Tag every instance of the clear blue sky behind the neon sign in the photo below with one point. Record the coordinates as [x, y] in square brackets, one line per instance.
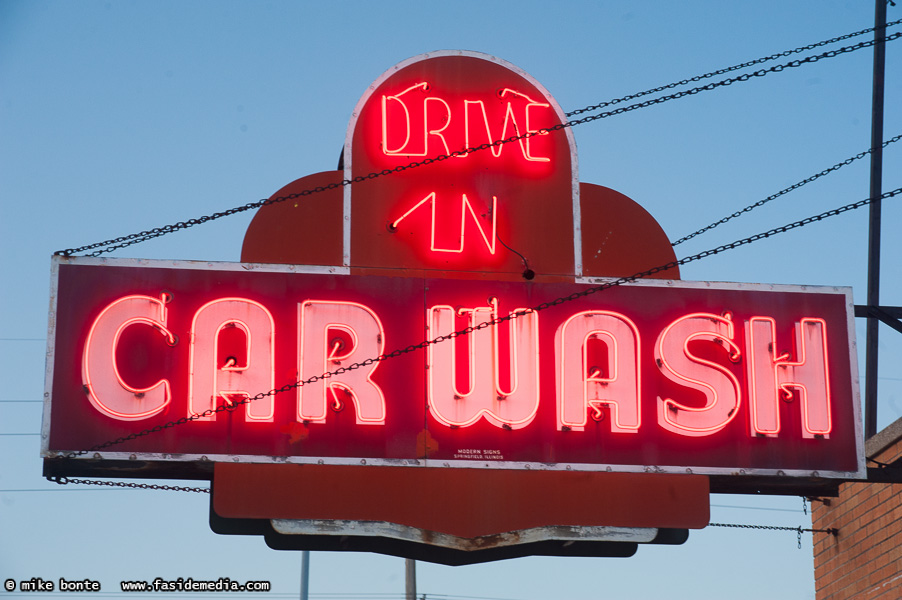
[121, 116]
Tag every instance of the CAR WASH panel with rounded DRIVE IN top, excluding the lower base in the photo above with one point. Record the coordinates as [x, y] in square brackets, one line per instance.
[436, 312]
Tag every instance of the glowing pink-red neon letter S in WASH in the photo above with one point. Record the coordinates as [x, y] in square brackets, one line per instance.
[678, 364]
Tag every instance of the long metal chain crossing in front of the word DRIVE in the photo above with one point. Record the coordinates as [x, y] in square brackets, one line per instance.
[110, 245]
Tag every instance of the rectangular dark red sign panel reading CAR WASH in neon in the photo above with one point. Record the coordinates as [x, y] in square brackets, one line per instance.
[655, 376]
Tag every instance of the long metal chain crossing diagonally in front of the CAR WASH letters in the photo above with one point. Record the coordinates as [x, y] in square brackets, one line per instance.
[494, 321]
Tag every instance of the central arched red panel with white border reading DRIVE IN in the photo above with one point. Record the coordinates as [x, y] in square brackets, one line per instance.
[469, 210]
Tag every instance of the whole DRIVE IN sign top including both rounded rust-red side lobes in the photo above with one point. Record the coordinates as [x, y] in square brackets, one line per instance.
[500, 212]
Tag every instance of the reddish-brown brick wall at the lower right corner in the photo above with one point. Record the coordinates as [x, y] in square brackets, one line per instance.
[864, 561]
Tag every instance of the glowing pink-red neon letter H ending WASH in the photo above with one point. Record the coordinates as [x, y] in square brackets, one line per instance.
[772, 374]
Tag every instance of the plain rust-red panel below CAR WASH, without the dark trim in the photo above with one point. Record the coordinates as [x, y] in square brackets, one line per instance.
[461, 503]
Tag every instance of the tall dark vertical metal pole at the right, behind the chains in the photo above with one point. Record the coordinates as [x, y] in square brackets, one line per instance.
[871, 362]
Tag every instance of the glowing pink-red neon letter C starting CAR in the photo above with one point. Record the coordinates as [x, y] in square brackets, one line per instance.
[107, 391]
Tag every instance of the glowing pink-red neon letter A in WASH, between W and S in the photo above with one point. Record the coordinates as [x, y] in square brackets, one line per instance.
[582, 385]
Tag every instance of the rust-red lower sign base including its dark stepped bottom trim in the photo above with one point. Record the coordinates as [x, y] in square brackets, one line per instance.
[462, 516]
